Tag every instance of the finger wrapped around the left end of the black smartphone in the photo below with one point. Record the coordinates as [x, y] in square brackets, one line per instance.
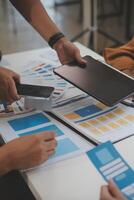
[13, 91]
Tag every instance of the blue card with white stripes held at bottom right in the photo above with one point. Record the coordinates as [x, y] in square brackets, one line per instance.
[111, 165]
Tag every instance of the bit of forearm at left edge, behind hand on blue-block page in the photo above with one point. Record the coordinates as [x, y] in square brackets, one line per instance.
[5, 166]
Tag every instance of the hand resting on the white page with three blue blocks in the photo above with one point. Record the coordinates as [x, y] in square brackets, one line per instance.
[29, 151]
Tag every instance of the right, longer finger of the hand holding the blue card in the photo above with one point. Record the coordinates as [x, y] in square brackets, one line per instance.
[114, 190]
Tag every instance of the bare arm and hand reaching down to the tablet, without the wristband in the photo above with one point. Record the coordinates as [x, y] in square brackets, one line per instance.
[36, 15]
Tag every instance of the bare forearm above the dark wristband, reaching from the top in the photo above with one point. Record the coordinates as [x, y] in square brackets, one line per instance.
[36, 15]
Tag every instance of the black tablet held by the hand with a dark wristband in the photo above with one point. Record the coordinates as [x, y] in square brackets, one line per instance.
[99, 80]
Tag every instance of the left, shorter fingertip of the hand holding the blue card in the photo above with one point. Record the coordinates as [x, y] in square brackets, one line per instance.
[104, 194]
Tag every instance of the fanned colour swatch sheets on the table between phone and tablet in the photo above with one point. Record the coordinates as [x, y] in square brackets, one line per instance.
[42, 74]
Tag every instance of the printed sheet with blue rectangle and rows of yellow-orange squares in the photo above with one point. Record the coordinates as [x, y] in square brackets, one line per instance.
[95, 120]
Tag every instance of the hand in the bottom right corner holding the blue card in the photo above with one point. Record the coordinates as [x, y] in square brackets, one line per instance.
[111, 192]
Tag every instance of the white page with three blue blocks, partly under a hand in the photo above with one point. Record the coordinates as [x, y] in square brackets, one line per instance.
[68, 143]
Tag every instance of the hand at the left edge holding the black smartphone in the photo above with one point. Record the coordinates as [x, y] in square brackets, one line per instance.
[8, 91]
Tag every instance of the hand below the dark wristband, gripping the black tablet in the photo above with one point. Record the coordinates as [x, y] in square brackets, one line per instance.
[67, 52]
